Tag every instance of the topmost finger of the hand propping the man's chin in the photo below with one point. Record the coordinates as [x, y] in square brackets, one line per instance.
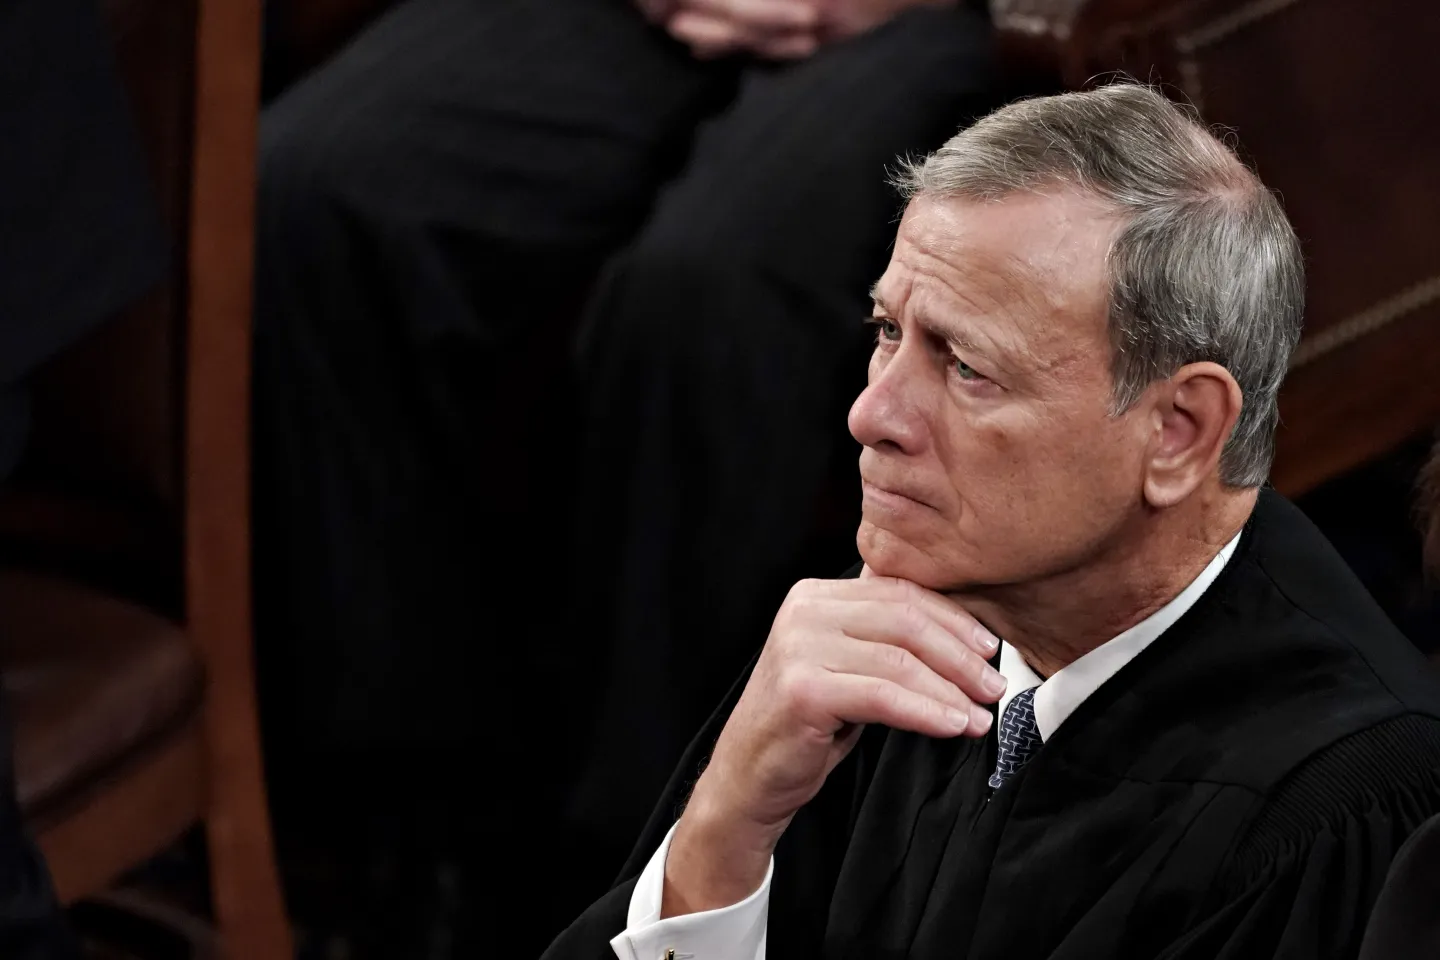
[911, 628]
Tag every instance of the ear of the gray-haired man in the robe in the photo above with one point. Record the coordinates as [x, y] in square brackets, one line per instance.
[1194, 414]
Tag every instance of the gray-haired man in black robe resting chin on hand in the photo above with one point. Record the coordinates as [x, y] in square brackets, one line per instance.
[1094, 692]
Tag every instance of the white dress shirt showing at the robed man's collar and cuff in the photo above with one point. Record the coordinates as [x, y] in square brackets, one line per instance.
[738, 932]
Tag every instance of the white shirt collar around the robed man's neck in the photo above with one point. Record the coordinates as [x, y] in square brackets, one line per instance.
[1068, 687]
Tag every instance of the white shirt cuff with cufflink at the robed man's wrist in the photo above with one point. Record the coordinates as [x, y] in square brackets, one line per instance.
[731, 933]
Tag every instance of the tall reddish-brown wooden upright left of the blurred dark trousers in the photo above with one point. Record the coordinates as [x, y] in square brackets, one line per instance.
[244, 880]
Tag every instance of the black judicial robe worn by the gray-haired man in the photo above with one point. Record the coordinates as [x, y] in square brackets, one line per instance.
[1238, 791]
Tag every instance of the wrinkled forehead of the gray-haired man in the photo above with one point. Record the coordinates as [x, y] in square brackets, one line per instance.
[1029, 270]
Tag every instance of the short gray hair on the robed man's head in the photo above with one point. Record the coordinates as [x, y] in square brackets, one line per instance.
[1206, 266]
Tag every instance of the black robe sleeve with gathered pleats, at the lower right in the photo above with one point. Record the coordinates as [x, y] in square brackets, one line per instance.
[1305, 876]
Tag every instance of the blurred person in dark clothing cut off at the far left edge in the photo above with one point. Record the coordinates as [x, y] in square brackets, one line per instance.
[78, 241]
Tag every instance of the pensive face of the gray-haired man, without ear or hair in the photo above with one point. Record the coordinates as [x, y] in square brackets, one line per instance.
[991, 457]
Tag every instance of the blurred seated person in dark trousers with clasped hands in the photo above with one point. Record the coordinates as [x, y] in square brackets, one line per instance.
[472, 569]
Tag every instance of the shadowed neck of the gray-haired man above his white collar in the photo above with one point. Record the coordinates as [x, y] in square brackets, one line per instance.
[1059, 620]
